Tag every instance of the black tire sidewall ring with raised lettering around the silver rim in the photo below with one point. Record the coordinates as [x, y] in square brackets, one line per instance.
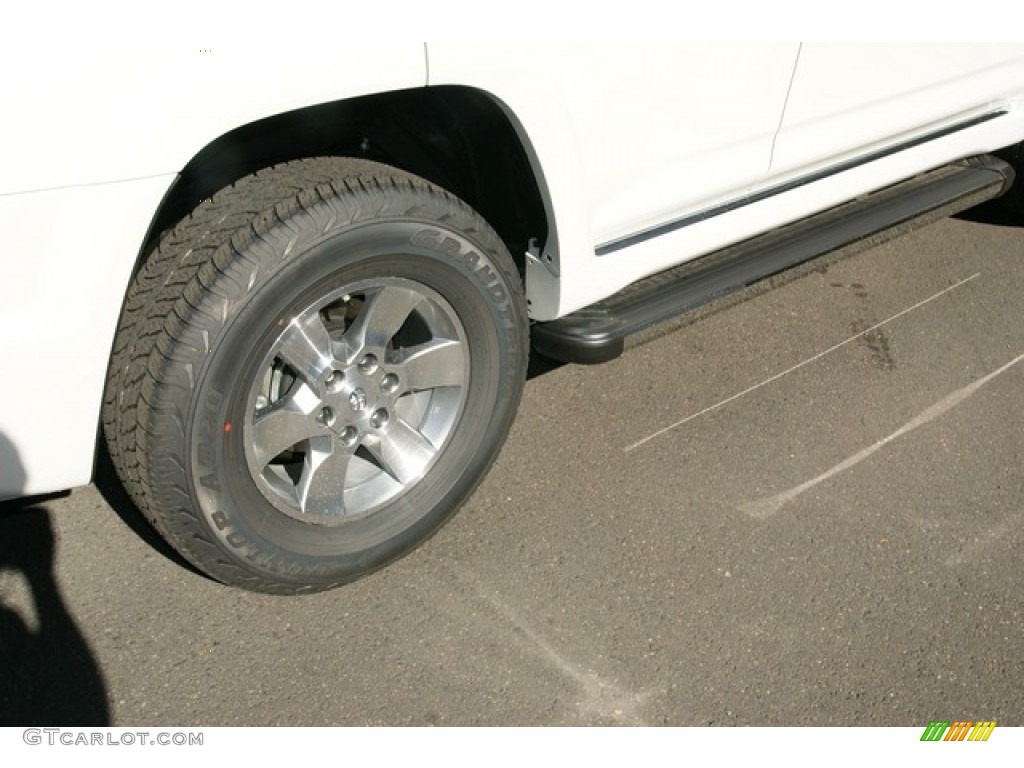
[249, 531]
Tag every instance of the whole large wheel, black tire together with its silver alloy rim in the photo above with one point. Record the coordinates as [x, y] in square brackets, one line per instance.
[314, 371]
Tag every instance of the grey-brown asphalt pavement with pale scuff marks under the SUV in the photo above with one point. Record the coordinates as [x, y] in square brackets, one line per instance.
[804, 509]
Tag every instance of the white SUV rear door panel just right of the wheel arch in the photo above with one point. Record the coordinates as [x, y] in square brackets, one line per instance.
[654, 132]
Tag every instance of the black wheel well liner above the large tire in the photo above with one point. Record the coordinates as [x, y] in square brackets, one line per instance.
[458, 138]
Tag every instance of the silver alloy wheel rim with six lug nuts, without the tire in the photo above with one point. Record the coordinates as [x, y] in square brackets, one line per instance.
[339, 430]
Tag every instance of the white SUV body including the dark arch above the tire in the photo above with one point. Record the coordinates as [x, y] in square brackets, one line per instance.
[643, 158]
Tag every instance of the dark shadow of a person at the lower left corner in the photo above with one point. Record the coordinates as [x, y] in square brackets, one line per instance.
[49, 675]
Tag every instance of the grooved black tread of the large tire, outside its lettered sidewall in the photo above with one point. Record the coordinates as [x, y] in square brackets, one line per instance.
[174, 295]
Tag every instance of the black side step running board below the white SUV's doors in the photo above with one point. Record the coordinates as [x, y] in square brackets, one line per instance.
[598, 333]
